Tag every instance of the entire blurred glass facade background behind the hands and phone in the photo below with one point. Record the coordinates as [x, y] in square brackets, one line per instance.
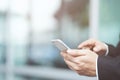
[28, 26]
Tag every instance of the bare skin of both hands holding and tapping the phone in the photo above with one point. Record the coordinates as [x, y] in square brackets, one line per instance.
[83, 60]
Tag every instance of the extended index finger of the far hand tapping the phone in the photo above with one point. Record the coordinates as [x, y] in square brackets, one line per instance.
[87, 44]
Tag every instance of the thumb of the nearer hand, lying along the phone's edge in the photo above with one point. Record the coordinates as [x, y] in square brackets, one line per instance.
[76, 53]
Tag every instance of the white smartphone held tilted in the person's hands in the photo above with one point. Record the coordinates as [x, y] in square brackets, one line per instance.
[60, 45]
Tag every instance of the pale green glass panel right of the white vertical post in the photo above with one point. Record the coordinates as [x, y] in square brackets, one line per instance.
[109, 29]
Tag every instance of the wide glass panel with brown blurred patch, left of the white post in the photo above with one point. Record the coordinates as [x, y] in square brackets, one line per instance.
[69, 21]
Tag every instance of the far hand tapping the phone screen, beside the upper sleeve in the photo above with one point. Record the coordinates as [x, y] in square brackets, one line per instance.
[94, 45]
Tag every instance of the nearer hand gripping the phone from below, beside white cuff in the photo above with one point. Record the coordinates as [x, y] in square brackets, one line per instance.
[81, 61]
